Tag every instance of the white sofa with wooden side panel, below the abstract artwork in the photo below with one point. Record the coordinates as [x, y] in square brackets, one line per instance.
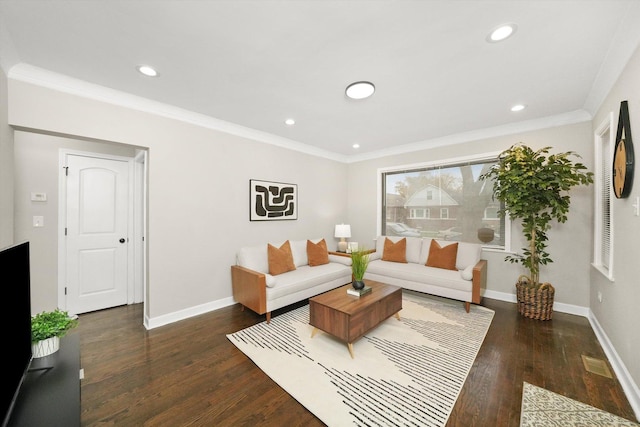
[256, 289]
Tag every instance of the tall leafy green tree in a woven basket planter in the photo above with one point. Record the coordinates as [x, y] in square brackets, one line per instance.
[534, 187]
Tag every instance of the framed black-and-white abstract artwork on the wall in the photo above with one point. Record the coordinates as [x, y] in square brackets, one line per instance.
[272, 201]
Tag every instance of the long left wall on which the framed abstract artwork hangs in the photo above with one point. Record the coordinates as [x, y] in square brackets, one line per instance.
[198, 195]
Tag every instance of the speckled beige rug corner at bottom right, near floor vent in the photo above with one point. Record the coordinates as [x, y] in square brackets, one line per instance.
[542, 408]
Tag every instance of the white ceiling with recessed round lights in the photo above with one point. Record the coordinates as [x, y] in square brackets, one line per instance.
[252, 64]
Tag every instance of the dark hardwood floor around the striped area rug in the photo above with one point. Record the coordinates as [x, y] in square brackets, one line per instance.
[189, 374]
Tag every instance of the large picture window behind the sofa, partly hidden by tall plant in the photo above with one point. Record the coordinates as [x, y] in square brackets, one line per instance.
[446, 201]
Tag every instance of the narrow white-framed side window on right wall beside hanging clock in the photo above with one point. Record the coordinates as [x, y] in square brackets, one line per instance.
[603, 260]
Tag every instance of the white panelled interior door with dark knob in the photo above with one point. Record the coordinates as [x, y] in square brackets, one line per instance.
[97, 242]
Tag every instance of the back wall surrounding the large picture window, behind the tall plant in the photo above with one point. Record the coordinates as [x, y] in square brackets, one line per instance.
[569, 243]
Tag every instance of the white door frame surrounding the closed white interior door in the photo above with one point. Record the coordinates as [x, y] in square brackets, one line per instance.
[136, 223]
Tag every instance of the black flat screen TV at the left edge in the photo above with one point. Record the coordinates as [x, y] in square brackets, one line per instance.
[16, 284]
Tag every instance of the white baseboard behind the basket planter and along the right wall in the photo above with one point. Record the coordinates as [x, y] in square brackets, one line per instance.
[628, 385]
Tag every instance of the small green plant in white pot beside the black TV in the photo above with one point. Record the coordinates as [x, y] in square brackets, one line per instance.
[46, 330]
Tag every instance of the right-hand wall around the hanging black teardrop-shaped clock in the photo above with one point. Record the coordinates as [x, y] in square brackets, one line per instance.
[618, 314]
